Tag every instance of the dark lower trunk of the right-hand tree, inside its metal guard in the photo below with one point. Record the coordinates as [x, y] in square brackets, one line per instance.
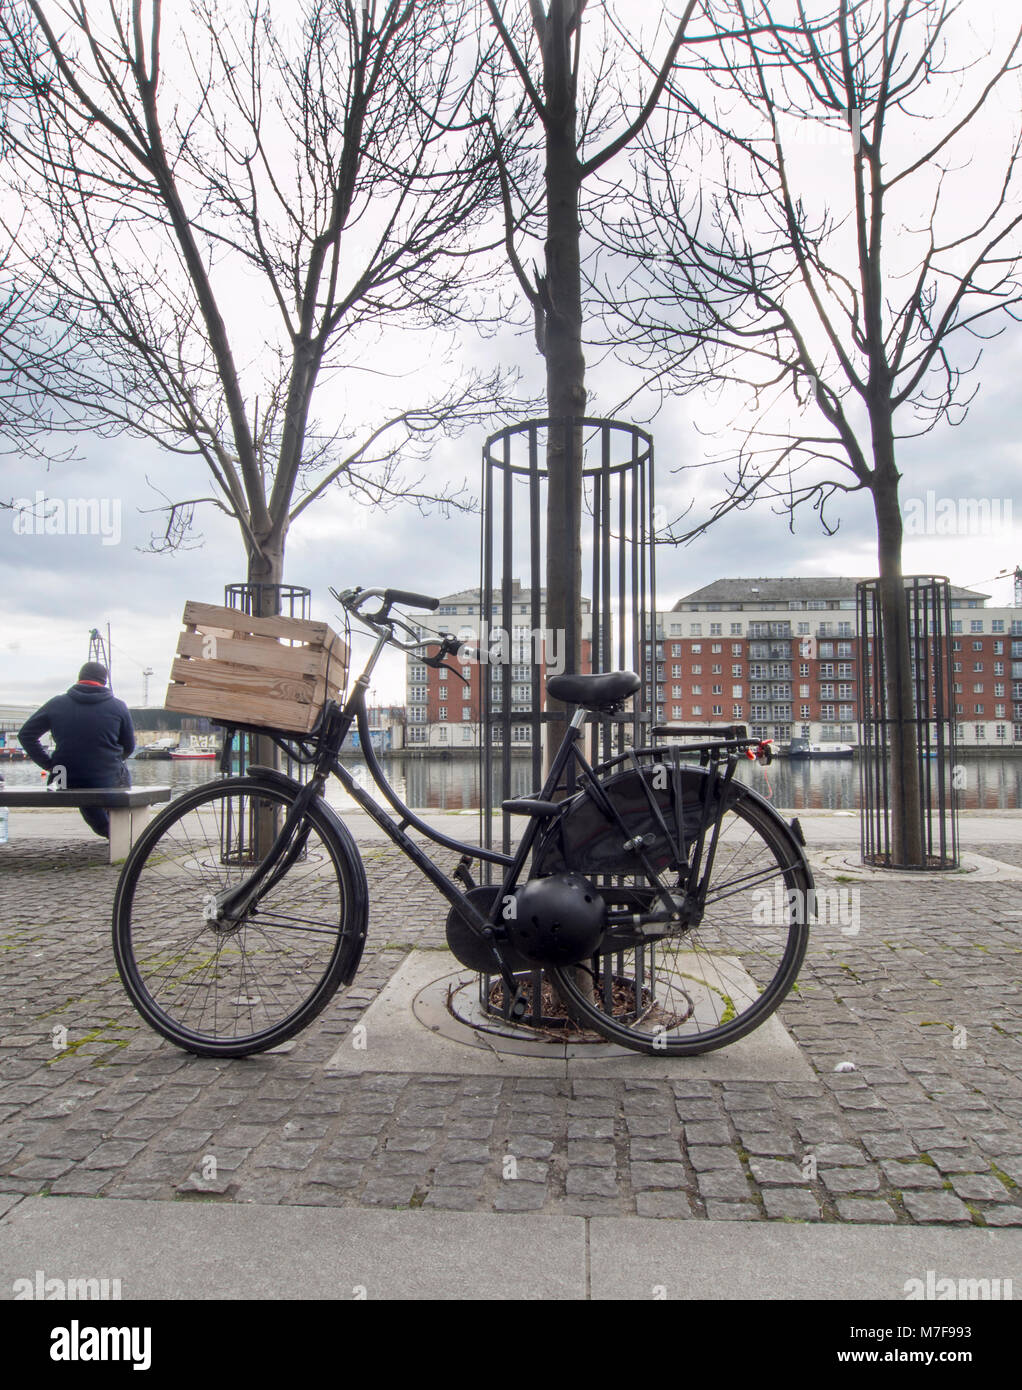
[907, 837]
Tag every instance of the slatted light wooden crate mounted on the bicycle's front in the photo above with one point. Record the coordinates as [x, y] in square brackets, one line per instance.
[268, 672]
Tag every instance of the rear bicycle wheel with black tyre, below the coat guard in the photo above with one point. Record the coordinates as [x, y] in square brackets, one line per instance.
[715, 983]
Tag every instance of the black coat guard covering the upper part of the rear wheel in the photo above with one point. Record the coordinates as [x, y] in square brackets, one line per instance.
[589, 842]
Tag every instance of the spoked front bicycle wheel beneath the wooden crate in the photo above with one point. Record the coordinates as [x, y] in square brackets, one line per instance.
[229, 989]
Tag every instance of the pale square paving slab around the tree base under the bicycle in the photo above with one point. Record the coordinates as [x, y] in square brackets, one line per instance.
[409, 1031]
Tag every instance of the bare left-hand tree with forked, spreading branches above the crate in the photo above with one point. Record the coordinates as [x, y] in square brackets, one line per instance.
[227, 215]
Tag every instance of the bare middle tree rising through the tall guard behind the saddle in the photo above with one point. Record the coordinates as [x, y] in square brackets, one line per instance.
[586, 120]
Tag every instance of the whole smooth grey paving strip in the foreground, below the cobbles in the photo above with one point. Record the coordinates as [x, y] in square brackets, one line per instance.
[227, 1252]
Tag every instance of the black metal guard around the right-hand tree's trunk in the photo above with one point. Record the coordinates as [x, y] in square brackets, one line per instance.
[932, 722]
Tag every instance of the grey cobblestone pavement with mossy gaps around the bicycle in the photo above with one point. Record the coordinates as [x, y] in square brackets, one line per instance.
[924, 999]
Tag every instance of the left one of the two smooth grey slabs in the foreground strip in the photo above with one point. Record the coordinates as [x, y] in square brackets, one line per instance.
[216, 1250]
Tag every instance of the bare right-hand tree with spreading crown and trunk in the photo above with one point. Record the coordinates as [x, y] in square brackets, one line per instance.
[856, 290]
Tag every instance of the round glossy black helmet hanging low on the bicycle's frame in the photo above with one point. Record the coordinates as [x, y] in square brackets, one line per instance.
[558, 921]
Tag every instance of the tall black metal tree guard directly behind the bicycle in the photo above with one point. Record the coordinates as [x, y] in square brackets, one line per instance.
[618, 572]
